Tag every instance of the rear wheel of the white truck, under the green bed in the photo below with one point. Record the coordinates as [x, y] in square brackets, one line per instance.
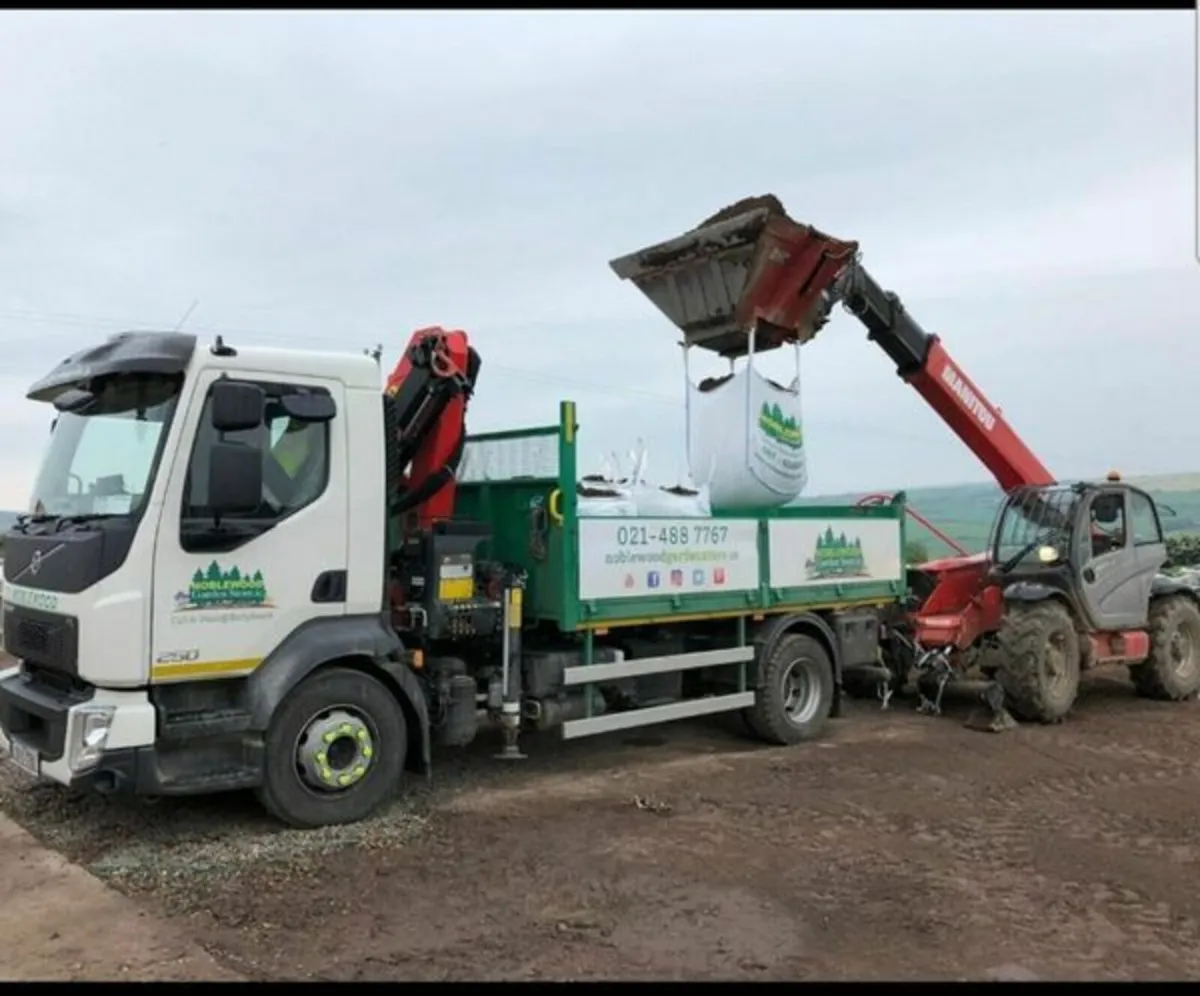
[794, 692]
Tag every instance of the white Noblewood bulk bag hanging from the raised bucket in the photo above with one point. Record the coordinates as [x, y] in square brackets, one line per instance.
[746, 440]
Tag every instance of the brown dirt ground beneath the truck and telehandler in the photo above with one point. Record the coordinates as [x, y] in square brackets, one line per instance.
[902, 848]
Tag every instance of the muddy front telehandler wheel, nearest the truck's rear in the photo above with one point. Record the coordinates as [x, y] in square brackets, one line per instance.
[1039, 662]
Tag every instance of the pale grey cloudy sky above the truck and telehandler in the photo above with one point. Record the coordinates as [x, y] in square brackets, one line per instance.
[1025, 182]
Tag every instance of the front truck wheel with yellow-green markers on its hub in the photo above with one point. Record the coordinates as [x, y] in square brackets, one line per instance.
[335, 751]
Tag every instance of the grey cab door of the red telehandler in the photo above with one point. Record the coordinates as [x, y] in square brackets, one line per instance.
[1117, 573]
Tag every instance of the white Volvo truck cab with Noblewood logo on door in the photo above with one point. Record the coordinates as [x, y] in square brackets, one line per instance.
[194, 549]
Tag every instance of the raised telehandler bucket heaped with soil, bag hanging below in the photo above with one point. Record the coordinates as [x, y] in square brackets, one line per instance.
[748, 267]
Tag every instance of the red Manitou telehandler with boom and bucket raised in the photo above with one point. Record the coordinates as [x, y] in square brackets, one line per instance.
[1071, 579]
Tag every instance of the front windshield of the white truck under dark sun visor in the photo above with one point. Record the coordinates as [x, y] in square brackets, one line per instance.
[103, 457]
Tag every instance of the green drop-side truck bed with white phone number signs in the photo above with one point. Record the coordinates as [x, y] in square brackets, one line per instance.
[592, 573]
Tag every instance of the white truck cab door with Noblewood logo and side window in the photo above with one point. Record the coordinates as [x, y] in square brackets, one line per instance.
[226, 595]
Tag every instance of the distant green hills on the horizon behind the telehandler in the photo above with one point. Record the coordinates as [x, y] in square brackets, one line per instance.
[968, 512]
